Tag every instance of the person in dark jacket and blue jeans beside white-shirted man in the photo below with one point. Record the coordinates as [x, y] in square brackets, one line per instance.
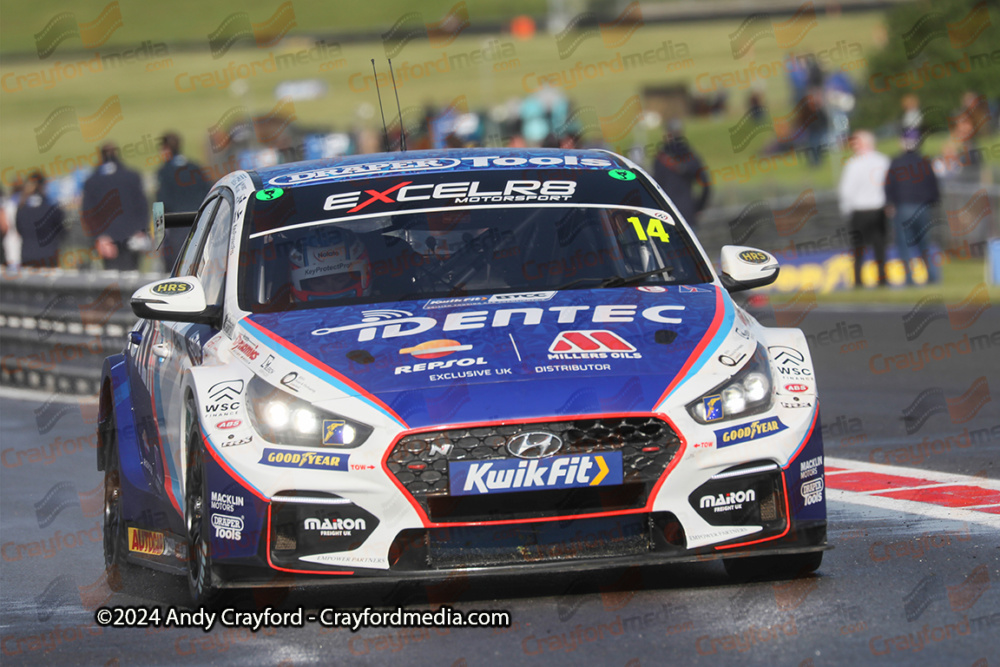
[911, 190]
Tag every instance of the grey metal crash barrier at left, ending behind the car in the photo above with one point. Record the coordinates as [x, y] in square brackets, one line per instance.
[57, 326]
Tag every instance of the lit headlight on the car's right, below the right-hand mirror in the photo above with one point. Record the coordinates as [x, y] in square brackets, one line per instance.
[746, 393]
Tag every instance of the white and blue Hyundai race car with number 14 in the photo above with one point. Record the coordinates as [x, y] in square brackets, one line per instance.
[483, 360]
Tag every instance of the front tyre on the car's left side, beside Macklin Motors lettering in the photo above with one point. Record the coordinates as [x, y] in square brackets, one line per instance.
[201, 584]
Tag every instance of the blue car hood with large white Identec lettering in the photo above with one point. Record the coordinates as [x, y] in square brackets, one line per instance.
[486, 358]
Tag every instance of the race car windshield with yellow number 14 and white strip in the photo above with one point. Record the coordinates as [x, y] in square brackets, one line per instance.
[291, 259]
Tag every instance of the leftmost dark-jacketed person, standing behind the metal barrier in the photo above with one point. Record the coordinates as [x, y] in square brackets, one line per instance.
[39, 221]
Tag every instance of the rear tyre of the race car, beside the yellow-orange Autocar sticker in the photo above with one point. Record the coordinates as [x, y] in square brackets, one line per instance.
[120, 573]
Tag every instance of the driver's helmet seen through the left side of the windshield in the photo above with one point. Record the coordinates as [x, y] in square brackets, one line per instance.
[336, 266]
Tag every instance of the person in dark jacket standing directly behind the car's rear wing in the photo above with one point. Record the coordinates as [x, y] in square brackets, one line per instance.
[181, 186]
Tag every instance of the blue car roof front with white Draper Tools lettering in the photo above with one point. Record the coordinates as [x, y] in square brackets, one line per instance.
[386, 164]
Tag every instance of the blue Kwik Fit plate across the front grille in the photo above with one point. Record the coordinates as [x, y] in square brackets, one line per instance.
[474, 478]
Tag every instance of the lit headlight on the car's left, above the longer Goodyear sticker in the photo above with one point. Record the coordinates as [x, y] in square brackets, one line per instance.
[284, 419]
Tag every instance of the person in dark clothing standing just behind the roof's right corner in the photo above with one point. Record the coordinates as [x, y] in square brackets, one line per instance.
[677, 168]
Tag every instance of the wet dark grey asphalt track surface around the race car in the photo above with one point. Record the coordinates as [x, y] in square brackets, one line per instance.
[897, 589]
